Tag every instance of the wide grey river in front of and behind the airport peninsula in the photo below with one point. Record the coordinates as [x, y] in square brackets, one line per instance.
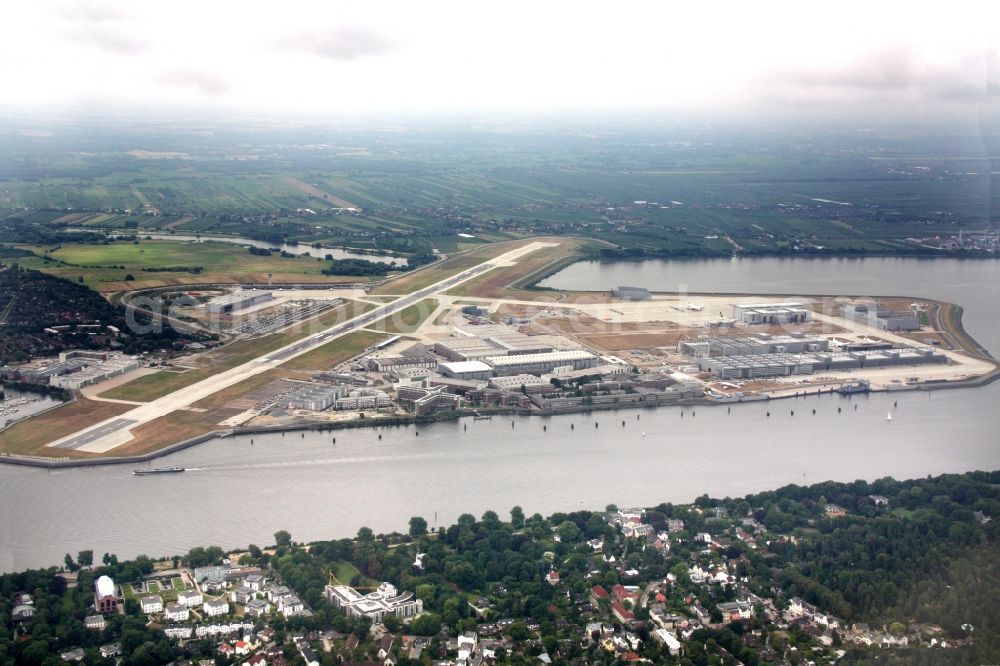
[237, 492]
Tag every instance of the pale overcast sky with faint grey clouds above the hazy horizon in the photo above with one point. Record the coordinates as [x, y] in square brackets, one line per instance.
[329, 59]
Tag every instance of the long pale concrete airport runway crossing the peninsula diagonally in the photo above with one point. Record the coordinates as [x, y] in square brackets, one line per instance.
[111, 433]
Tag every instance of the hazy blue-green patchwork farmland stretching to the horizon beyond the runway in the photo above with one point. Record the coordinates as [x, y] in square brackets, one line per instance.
[650, 190]
